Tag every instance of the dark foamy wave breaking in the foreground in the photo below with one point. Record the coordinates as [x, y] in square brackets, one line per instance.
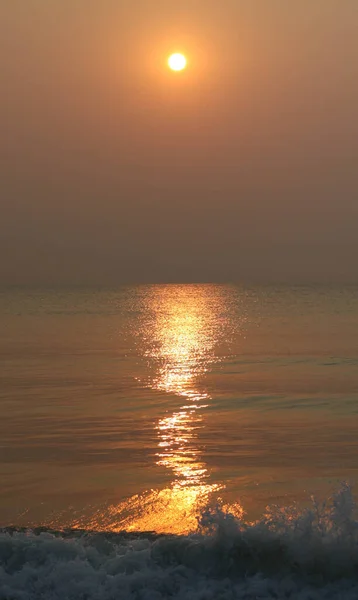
[288, 553]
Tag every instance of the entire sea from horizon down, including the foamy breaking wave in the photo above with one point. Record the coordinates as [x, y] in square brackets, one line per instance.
[179, 441]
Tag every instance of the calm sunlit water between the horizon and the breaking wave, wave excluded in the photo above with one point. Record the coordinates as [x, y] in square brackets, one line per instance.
[136, 408]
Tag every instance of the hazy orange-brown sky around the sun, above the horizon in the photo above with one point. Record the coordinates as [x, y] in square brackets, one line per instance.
[114, 169]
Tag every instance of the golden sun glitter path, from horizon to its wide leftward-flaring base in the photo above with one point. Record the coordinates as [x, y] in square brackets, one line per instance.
[179, 340]
